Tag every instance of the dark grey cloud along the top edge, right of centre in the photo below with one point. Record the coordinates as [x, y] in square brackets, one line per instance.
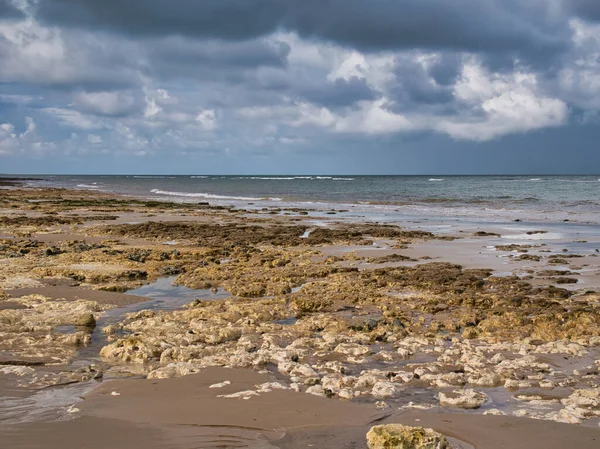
[472, 25]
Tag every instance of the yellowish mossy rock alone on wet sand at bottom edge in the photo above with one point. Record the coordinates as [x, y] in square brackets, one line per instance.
[396, 436]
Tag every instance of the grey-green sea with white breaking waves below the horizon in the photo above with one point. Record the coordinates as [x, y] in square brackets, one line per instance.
[499, 198]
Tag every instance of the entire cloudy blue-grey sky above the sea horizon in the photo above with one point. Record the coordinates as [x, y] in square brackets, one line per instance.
[290, 86]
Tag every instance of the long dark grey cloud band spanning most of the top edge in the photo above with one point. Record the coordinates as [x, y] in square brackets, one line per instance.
[472, 25]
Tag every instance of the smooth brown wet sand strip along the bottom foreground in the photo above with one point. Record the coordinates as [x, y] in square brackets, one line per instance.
[185, 413]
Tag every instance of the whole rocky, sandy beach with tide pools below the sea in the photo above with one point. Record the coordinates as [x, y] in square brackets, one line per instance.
[276, 332]
